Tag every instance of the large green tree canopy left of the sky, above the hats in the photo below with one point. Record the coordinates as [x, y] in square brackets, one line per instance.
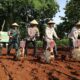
[26, 10]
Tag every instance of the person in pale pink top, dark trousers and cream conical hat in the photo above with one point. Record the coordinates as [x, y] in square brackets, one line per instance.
[32, 35]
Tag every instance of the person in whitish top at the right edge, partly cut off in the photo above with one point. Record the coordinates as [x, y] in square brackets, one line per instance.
[73, 36]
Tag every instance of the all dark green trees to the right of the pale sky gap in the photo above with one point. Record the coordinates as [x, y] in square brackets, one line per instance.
[72, 16]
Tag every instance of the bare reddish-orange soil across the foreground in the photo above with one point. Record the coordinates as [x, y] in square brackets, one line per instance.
[33, 69]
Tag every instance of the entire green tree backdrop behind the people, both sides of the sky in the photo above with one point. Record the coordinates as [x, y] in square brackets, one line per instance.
[23, 11]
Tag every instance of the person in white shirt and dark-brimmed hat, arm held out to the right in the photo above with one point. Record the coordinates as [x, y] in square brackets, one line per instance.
[49, 33]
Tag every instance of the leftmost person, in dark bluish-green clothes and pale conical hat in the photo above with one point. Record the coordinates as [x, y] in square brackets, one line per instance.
[13, 38]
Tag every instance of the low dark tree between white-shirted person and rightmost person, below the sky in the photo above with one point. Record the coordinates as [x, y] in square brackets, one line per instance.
[64, 27]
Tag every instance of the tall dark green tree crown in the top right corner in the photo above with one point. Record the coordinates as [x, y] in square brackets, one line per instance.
[73, 11]
